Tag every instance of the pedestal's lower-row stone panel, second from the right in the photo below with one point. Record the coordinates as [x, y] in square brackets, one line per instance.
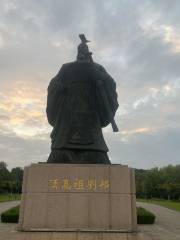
[99, 211]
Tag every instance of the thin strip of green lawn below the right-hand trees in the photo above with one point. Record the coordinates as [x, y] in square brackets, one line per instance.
[175, 205]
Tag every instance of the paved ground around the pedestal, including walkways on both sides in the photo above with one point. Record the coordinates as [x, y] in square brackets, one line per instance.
[167, 227]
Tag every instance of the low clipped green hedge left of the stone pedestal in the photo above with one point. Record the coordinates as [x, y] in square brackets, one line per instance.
[11, 215]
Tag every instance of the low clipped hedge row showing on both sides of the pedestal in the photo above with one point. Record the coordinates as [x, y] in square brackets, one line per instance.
[143, 216]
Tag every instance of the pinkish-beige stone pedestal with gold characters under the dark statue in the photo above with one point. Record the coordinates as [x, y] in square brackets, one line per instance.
[77, 197]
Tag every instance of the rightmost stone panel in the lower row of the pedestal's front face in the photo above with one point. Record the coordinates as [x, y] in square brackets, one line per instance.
[121, 212]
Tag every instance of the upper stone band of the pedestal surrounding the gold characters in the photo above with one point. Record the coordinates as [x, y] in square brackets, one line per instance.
[119, 176]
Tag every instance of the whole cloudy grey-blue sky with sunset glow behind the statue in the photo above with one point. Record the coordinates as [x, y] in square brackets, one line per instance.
[138, 42]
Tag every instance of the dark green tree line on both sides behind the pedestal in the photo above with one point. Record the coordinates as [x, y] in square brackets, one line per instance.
[161, 183]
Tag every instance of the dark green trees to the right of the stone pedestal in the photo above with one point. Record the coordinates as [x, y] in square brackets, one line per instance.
[161, 183]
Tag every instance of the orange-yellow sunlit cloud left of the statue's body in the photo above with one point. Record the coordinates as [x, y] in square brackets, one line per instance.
[24, 111]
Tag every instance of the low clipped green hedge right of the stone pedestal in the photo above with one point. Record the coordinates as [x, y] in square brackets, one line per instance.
[144, 216]
